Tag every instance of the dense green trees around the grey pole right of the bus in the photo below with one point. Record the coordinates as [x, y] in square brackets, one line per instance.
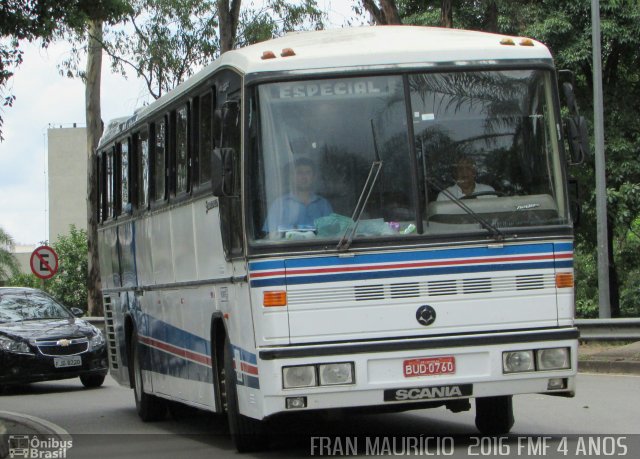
[565, 27]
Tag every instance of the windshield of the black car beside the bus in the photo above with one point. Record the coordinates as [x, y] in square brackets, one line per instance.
[21, 306]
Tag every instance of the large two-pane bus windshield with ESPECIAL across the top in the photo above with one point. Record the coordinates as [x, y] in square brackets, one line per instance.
[457, 153]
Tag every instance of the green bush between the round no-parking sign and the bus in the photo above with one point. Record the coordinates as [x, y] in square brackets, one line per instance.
[69, 285]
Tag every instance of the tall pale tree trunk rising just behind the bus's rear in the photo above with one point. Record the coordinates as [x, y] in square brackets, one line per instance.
[94, 131]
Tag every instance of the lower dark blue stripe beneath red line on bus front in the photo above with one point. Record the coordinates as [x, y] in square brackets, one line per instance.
[360, 276]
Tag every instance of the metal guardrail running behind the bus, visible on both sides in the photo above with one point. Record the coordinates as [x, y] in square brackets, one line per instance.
[590, 329]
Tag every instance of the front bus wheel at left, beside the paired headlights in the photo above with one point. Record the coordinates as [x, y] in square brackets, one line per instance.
[247, 434]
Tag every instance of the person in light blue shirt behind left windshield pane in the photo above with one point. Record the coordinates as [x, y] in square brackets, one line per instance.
[299, 209]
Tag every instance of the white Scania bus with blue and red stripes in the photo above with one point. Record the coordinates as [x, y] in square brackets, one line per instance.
[292, 229]
